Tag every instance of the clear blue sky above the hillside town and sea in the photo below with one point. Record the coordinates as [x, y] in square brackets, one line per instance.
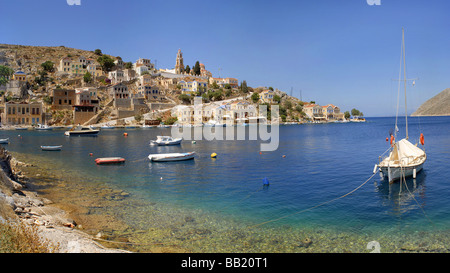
[344, 52]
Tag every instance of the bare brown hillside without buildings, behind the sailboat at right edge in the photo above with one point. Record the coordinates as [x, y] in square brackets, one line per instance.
[438, 105]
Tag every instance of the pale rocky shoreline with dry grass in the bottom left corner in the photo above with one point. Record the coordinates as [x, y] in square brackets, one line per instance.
[53, 224]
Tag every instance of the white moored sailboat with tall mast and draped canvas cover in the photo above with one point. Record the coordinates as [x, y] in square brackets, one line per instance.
[405, 159]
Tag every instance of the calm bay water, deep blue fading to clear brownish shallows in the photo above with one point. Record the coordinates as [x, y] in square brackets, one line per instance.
[322, 194]
